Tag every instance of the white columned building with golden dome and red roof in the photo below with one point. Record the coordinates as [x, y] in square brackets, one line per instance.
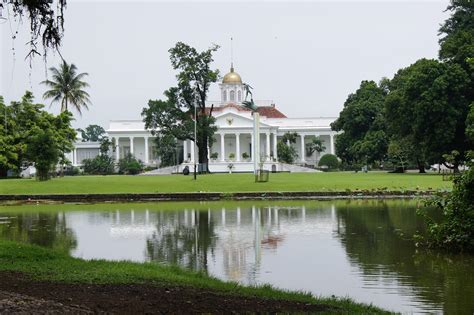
[233, 139]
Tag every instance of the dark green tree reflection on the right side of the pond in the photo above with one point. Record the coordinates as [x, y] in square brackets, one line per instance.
[377, 239]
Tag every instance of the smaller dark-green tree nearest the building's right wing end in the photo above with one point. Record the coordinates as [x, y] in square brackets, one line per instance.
[363, 138]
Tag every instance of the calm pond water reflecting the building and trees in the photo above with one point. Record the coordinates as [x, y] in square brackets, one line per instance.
[359, 249]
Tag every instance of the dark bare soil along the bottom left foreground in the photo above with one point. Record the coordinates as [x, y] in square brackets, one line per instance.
[20, 294]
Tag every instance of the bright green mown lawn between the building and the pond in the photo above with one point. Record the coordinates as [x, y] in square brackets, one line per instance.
[322, 182]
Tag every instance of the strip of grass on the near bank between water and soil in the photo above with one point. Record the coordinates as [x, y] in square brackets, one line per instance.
[47, 264]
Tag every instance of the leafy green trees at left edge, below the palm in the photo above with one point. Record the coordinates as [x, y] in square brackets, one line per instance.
[30, 134]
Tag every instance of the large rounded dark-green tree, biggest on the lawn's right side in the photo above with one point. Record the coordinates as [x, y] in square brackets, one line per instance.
[427, 107]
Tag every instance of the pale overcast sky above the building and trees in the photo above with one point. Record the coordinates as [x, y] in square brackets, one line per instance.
[305, 56]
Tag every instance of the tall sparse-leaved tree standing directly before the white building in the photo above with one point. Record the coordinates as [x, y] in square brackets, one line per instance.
[175, 116]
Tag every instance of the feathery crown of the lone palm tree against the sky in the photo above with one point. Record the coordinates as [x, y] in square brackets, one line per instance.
[67, 87]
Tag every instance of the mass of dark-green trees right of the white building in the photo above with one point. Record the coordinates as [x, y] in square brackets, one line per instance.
[419, 117]
